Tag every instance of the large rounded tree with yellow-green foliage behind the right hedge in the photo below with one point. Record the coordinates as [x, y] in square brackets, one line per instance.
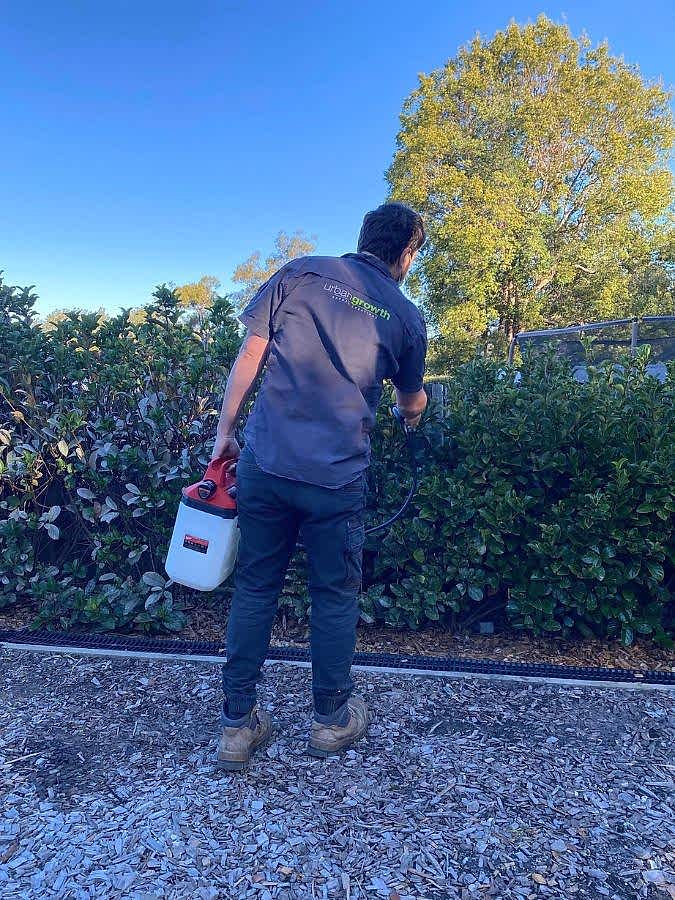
[540, 164]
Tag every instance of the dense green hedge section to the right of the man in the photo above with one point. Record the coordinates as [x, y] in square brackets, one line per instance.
[549, 502]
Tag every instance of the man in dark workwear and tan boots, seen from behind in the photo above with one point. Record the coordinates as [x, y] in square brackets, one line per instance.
[327, 331]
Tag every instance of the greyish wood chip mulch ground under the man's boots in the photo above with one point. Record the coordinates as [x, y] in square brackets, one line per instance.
[462, 789]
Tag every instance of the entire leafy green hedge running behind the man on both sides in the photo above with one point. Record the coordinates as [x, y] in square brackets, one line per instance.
[546, 502]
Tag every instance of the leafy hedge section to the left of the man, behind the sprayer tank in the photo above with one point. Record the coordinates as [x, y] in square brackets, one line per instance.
[102, 421]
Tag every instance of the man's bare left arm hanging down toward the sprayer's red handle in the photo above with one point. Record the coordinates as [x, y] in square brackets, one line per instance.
[246, 368]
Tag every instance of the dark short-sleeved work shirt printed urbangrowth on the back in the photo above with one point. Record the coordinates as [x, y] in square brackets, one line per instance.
[337, 327]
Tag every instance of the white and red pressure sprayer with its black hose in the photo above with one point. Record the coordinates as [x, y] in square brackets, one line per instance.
[205, 539]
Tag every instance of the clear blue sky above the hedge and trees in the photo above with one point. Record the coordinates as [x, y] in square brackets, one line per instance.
[145, 142]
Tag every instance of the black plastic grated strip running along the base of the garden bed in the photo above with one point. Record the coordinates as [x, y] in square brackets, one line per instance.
[88, 641]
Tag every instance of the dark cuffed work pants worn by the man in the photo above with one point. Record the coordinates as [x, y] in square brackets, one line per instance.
[272, 513]
